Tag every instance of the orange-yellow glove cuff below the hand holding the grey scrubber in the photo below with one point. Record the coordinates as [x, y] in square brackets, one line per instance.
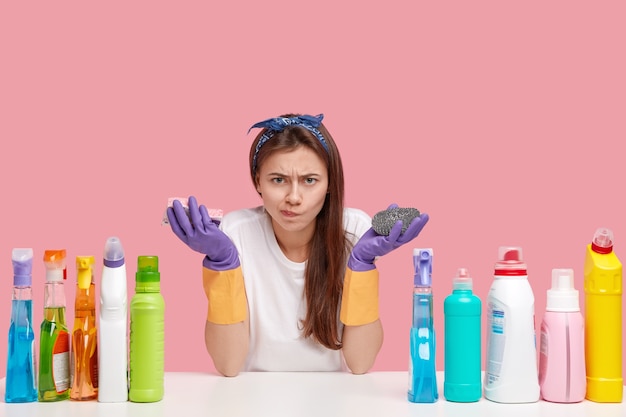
[359, 301]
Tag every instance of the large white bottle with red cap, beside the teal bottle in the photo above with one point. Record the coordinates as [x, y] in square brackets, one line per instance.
[511, 373]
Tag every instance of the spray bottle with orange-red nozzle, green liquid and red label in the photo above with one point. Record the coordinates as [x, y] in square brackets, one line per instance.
[54, 340]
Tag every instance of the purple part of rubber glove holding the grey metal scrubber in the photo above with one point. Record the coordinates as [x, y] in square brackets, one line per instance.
[372, 245]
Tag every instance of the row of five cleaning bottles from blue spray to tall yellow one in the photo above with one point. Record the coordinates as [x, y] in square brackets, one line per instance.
[578, 358]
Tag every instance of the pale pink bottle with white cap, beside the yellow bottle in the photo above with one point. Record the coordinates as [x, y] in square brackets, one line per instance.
[562, 343]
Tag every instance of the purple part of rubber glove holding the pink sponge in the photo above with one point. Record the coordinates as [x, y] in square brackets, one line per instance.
[200, 233]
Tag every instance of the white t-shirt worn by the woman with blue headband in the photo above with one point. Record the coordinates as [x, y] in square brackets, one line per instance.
[275, 290]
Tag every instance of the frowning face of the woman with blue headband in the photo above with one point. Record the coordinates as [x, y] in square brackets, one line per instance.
[293, 185]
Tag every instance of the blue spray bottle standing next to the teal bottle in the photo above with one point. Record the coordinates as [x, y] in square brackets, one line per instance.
[422, 372]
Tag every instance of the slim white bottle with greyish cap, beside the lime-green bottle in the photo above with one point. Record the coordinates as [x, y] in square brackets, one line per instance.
[113, 352]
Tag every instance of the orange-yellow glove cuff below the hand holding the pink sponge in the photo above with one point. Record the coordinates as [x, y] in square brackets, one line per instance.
[226, 294]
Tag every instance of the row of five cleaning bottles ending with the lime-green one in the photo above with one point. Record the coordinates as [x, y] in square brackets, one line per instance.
[87, 372]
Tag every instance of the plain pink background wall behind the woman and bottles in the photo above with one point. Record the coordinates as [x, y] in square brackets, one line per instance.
[505, 122]
